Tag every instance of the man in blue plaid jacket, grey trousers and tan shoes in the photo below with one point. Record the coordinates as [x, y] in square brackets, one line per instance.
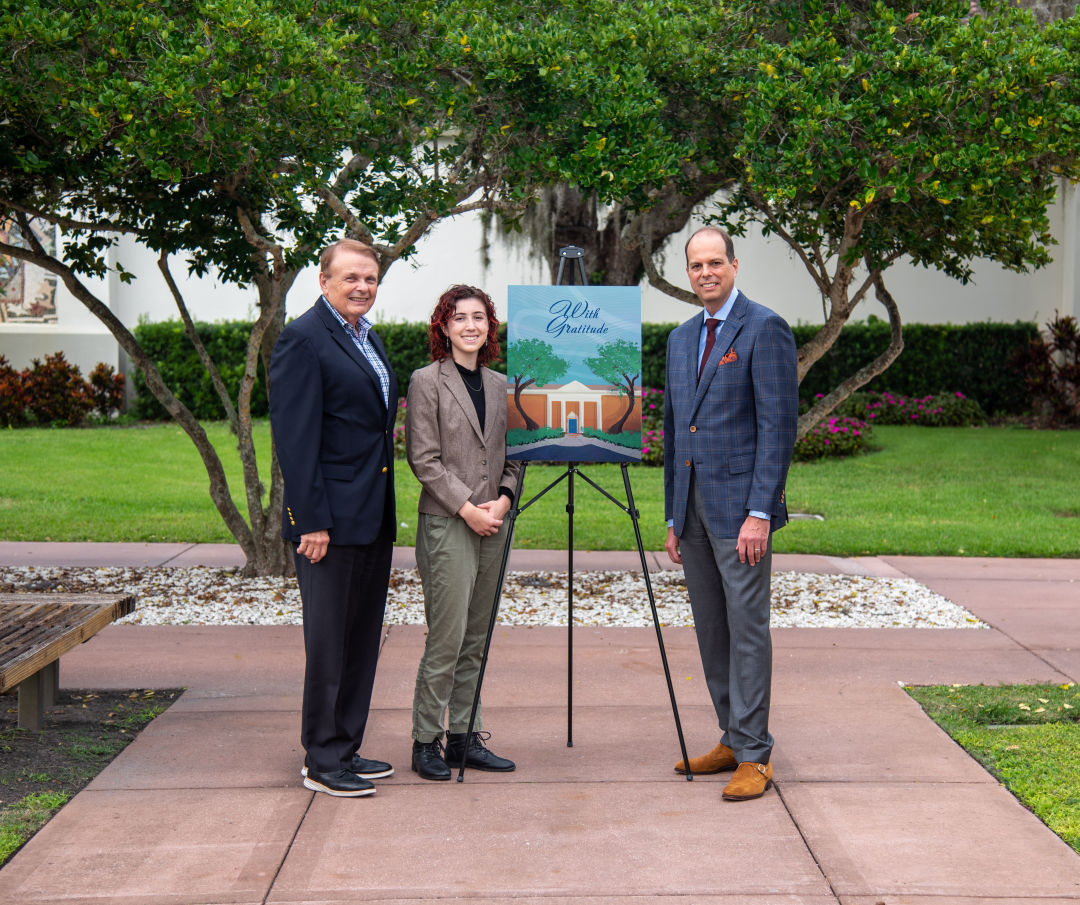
[731, 414]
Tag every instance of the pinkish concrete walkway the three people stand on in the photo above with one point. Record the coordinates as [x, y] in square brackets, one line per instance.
[873, 803]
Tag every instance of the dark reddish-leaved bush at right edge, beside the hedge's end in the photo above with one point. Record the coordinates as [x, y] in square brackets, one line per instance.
[1052, 371]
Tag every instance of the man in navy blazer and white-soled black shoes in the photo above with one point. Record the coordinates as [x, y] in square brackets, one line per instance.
[333, 400]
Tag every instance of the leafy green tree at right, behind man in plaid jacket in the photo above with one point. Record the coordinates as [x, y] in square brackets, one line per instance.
[870, 133]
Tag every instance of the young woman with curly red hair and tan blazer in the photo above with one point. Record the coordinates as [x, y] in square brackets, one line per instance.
[455, 441]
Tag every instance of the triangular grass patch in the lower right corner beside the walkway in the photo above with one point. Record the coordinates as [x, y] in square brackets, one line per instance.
[1029, 737]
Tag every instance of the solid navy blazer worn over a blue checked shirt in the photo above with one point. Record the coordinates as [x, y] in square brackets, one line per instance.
[332, 431]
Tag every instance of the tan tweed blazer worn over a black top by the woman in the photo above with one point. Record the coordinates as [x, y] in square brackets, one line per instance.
[452, 458]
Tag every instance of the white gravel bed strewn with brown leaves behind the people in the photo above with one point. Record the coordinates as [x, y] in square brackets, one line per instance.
[204, 597]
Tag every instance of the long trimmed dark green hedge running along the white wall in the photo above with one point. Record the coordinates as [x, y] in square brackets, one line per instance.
[974, 359]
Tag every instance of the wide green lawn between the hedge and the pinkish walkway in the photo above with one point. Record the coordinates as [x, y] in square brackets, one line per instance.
[992, 492]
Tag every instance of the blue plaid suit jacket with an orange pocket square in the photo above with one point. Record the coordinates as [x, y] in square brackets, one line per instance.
[736, 428]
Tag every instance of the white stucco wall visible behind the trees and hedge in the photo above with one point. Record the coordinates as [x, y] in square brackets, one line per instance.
[452, 253]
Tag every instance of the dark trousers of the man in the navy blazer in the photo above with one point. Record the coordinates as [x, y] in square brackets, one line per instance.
[344, 597]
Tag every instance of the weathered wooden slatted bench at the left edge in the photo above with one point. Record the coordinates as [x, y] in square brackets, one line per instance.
[36, 630]
